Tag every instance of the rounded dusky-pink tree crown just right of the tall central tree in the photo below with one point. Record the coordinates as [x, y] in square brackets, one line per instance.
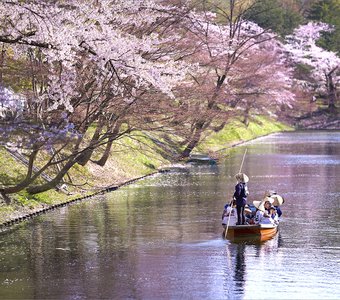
[262, 83]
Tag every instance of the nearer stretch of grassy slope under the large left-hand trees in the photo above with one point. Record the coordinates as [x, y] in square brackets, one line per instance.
[130, 159]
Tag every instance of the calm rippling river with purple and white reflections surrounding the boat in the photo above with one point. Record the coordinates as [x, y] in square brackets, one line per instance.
[161, 238]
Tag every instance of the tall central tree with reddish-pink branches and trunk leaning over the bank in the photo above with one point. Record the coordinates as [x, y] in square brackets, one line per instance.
[222, 43]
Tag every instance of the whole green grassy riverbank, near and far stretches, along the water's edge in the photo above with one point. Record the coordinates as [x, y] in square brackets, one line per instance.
[131, 161]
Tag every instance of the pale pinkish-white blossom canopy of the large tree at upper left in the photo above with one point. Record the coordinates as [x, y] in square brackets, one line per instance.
[65, 30]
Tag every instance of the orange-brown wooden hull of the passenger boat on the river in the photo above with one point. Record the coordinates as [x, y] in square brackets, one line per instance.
[260, 232]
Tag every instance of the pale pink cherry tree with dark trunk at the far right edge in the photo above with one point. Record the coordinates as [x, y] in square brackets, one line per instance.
[301, 46]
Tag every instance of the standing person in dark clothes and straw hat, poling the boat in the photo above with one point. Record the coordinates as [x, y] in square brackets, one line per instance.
[240, 196]
